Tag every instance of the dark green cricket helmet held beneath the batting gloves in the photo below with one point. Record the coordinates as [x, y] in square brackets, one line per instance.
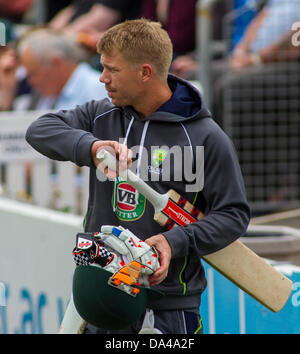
[102, 304]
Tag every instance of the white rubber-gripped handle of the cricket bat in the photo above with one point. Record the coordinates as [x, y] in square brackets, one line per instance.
[159, 201]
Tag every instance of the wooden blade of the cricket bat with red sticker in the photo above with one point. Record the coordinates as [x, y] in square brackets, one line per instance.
[236, 261]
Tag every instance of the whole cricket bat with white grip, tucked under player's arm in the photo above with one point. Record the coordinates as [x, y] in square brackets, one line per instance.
[236, 262]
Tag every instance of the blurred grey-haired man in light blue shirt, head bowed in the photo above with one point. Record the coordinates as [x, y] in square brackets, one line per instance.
[56, 71]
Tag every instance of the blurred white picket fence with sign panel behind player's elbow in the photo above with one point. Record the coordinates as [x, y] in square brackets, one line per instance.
[29, 176]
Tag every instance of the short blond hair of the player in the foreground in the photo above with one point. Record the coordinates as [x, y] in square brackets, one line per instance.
[140, 41]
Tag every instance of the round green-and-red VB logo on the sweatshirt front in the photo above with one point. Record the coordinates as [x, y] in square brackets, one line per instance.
[128, 203]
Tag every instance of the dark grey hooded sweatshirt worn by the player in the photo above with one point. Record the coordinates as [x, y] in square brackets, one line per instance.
[181, 124]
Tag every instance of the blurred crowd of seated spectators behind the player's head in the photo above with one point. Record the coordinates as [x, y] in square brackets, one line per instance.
[46, 62]
